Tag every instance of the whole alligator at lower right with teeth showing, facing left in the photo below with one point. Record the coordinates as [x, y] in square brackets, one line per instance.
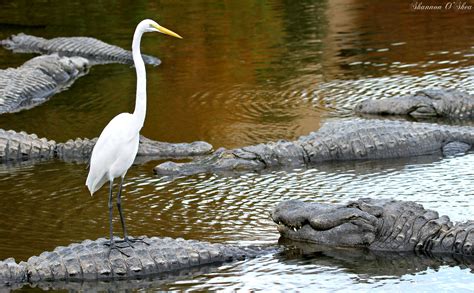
[375, 224]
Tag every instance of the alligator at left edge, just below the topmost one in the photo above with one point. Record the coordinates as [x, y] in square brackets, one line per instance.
[38, 79]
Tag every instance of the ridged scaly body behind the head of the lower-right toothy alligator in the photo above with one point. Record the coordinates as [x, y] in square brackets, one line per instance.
[408, 226]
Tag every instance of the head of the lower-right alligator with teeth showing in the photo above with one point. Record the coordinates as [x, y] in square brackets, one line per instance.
[328, 224]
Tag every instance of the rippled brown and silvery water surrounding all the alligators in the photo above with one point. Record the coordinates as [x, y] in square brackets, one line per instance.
[245, 72]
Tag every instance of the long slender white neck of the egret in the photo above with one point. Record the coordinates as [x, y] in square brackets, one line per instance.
[140, 103]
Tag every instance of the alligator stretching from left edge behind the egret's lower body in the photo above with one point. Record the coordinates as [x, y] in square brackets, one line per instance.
[21, 146]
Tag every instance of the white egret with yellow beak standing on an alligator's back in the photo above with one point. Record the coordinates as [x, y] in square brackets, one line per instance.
[117, 146]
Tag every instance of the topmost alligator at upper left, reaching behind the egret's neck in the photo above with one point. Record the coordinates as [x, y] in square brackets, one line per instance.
[96, 51]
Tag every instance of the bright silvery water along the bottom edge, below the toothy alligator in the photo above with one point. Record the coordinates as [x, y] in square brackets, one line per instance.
[306, 268]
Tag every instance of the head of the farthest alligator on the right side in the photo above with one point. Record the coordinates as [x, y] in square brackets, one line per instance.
[420, 105]
